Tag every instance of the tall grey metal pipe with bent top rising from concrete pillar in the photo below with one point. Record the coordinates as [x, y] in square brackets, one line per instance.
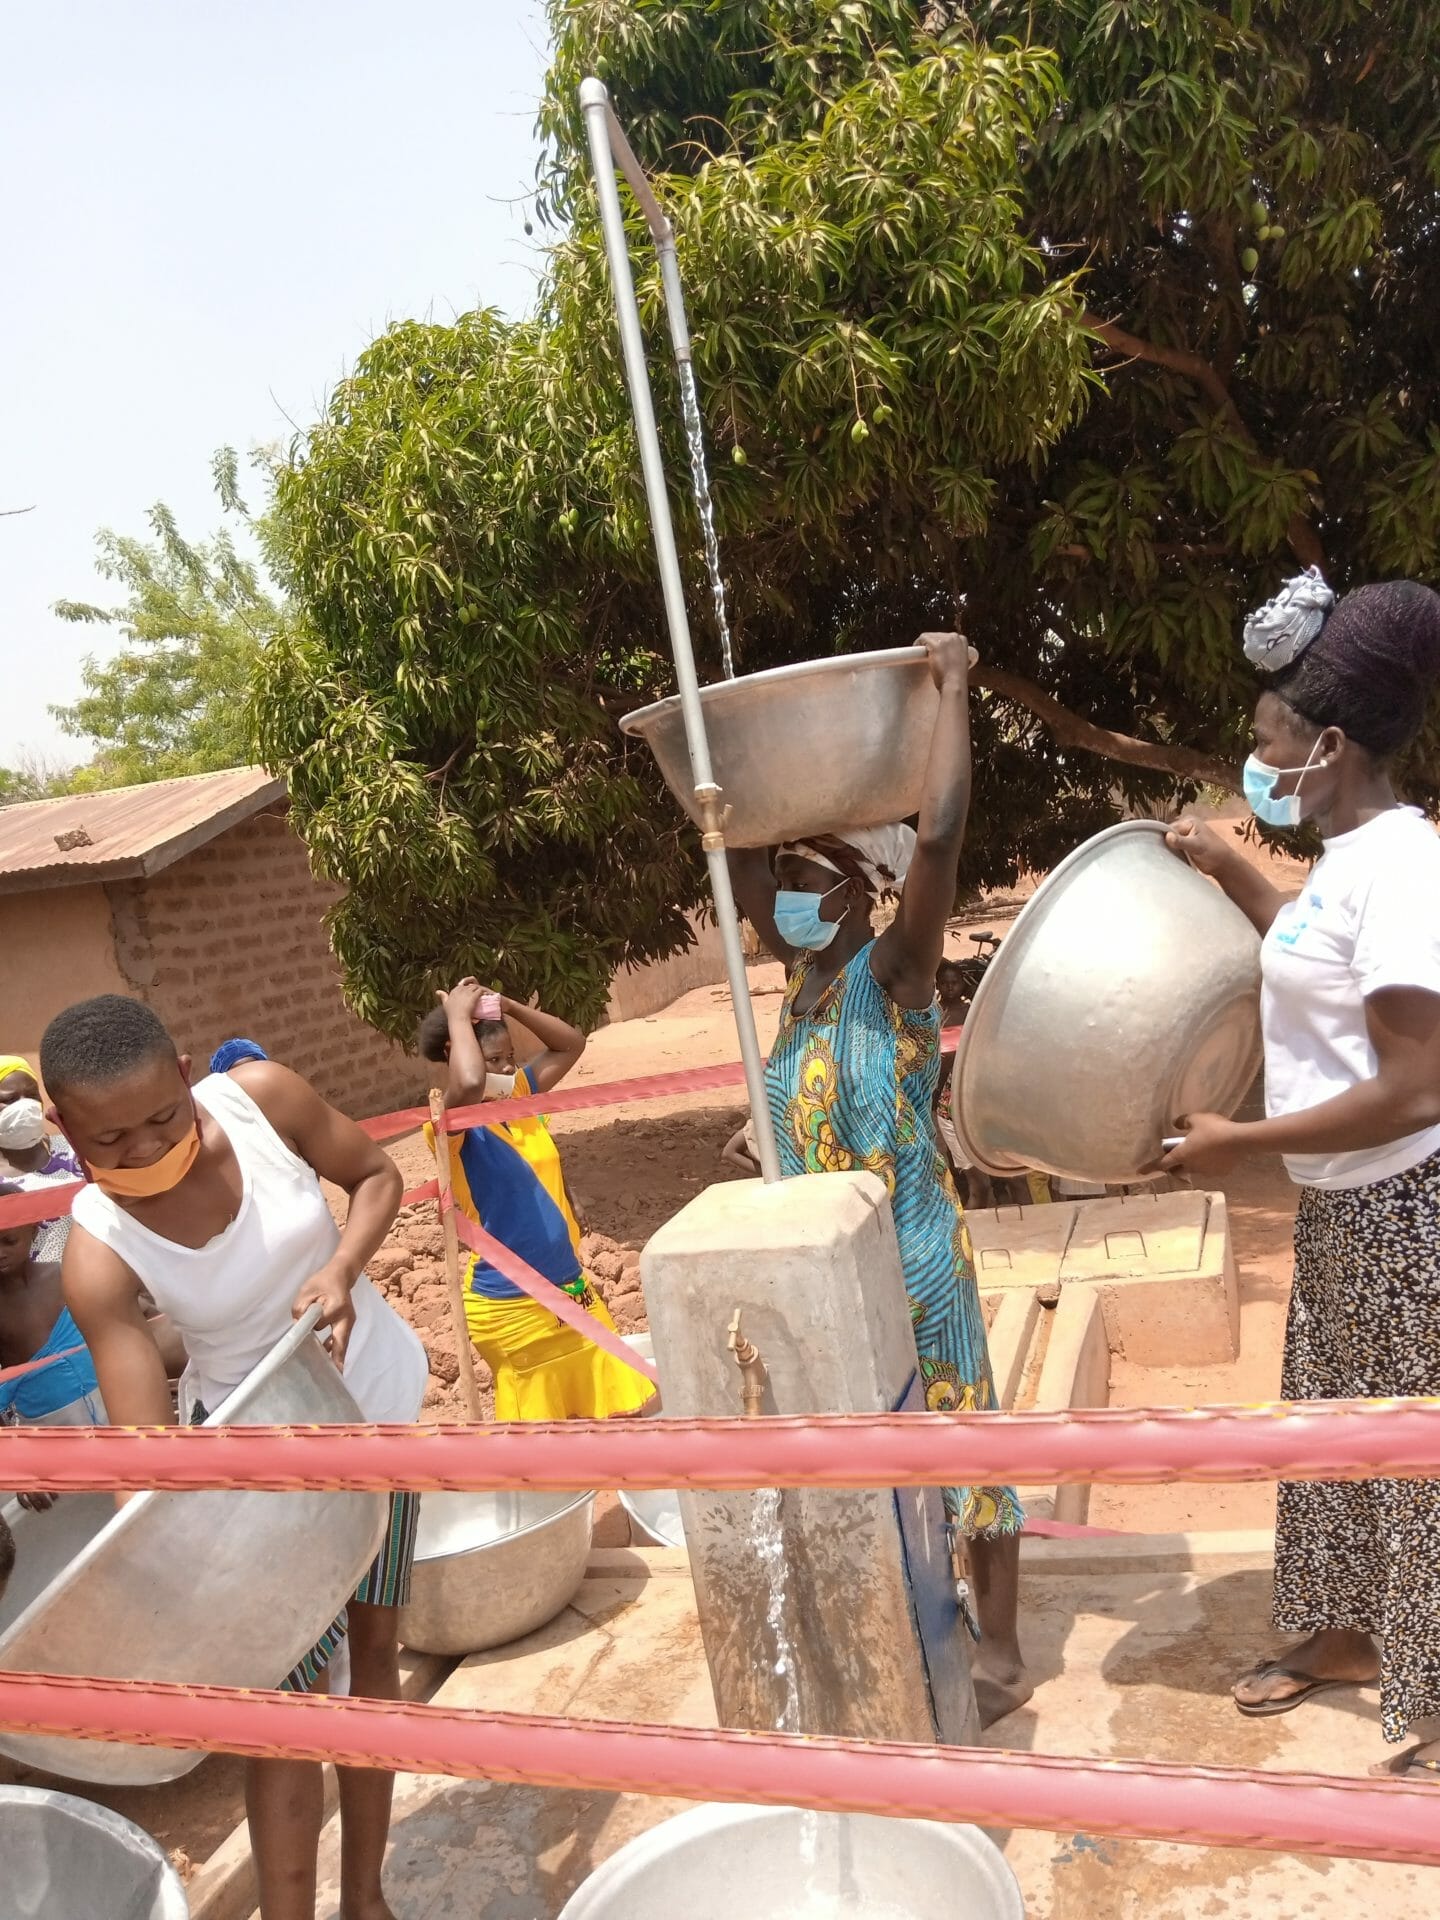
[610, 147]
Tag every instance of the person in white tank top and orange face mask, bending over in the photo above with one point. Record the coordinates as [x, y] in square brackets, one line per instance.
[210, 1201]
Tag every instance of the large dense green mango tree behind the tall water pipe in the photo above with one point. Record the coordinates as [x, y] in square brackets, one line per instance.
[1095, 318]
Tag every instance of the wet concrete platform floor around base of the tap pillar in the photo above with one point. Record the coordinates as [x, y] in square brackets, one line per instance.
[1134, 1644]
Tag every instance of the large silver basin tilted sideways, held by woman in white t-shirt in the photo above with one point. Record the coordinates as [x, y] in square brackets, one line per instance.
[1124, 997]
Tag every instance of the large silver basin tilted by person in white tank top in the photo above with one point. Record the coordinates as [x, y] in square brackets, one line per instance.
[226, 1589]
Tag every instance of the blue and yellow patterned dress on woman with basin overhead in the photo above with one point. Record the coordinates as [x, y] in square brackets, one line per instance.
[852, 1090]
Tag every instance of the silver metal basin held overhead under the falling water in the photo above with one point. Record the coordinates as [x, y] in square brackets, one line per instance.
[807, 750]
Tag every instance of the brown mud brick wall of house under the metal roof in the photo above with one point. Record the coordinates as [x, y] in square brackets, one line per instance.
[231, 942]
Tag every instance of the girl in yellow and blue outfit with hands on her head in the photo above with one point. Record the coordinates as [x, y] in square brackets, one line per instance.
[508, 1180]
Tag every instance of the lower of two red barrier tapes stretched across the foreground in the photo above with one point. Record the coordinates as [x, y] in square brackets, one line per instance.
[1128, 1800]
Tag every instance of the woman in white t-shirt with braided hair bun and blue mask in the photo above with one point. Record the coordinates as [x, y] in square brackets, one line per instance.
[1353, 1097]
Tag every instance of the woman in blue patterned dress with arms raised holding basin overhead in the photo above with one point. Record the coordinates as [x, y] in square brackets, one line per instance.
[852, 1086]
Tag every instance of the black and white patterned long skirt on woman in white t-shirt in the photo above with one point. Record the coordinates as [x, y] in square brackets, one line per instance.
[1366, 1324]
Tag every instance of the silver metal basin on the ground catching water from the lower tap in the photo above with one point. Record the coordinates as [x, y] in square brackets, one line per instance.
[796, 1865]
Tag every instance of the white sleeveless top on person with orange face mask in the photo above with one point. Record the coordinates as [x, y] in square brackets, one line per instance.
[231, 1299]
